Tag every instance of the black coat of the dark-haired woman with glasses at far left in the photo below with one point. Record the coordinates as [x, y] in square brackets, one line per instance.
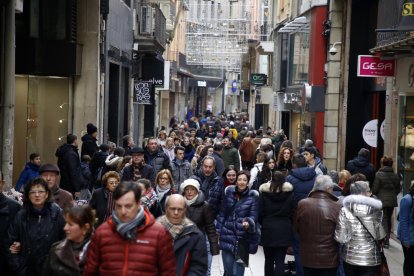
[36, 235]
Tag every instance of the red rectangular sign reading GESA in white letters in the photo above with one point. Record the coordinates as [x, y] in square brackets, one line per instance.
[372, 66]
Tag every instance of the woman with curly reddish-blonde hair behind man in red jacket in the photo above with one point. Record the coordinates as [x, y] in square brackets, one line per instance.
[102, 199]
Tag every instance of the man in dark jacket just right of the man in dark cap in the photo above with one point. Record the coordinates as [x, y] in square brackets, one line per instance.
[156, 157]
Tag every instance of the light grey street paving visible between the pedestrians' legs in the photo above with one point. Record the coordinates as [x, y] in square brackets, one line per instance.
[394, 256]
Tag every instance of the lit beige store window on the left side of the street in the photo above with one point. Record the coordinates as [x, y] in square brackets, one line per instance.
[41, 118]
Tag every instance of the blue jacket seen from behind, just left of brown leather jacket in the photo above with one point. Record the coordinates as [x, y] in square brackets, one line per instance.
[302, 180]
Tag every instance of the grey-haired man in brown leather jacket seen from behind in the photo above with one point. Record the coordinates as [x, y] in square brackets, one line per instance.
[315, 224]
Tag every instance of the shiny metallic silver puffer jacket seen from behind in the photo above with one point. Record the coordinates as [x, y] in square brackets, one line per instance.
[360, 248]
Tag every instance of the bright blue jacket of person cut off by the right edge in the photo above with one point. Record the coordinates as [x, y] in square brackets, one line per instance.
[405, 229]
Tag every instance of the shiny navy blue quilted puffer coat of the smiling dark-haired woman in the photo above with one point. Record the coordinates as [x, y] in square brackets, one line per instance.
[233, 213]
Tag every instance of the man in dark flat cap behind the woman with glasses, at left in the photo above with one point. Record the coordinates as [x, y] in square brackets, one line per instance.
[51, 174]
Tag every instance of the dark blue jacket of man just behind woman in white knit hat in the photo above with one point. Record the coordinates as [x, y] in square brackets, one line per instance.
[212, 187]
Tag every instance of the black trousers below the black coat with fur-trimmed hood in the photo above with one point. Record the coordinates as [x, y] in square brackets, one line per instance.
[274, 260]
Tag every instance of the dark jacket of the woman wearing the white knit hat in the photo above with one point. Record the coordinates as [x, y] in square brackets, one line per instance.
[202, 215]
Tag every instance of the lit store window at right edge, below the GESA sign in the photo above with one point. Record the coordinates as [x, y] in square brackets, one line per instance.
[406, 141]
